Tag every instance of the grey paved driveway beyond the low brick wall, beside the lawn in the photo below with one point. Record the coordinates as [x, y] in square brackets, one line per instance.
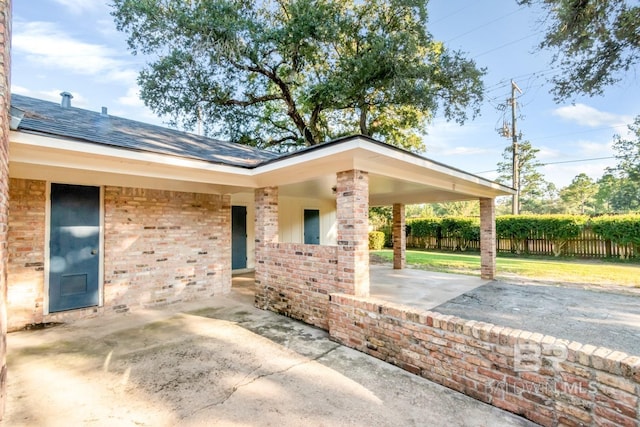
[590, 316]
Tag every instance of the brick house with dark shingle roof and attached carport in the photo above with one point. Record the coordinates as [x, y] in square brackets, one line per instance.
[165, 204]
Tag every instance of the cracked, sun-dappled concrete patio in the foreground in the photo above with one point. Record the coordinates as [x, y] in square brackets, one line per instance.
[217, 362]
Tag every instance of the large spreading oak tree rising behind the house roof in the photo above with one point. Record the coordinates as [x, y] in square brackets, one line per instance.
[284, 73]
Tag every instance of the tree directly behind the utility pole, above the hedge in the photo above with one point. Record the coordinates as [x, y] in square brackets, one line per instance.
[533, 186]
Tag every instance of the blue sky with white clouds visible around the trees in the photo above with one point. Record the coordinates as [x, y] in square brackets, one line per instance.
[73, 45]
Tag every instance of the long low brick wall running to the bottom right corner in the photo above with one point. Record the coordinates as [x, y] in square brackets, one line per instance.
[549, 381]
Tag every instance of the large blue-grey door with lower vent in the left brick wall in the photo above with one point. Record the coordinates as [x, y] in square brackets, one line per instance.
[73, 247]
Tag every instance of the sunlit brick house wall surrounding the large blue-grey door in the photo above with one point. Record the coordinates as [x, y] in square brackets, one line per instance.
[161, 247]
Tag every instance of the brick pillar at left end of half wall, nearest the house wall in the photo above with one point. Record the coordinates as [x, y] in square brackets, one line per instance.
[266, 232]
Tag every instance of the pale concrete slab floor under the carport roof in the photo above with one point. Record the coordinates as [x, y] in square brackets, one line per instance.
[419, 288]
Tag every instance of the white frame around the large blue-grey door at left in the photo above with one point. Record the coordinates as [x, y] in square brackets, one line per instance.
[47, 250]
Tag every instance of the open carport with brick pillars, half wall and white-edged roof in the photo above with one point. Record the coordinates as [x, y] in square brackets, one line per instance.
[297, 279]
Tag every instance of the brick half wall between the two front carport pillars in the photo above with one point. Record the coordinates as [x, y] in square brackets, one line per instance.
[297, 280]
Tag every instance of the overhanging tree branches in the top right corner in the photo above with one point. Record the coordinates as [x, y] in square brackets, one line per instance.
[594, 42]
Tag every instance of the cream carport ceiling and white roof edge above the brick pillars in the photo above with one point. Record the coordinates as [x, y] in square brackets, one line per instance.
[395, 176]
